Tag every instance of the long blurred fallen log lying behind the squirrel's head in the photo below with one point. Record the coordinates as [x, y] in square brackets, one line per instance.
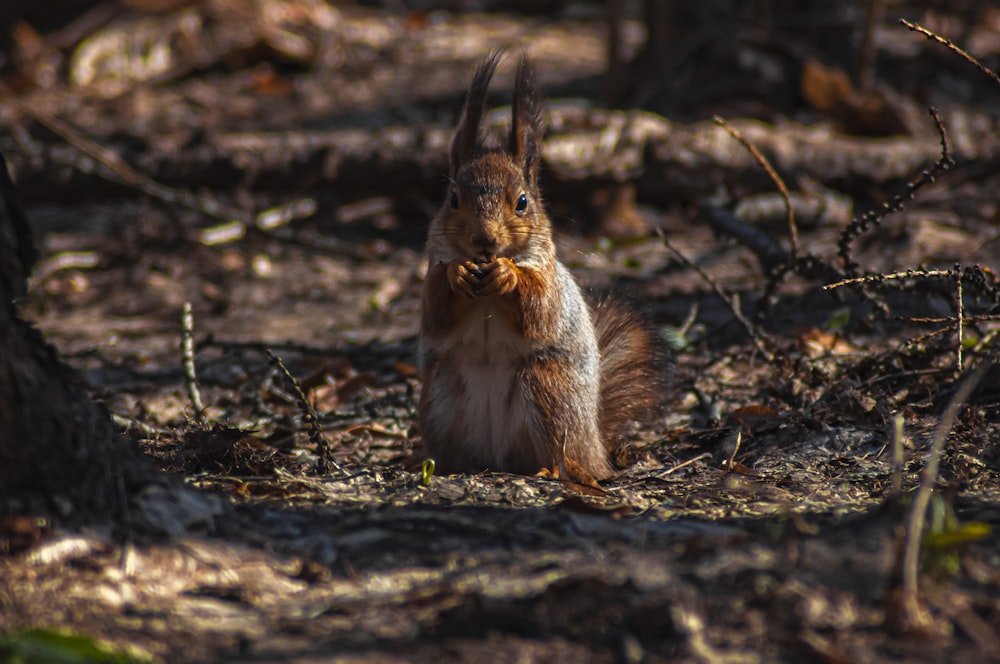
[669, 162]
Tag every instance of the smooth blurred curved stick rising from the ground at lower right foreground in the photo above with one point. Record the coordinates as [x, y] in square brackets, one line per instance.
[918, 513]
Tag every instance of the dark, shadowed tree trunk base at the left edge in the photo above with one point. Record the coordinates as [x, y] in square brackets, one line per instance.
[59, 453]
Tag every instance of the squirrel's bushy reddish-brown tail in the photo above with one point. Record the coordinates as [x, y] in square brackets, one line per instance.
[634, 367]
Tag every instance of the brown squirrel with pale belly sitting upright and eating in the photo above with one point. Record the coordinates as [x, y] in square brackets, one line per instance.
[519, 373]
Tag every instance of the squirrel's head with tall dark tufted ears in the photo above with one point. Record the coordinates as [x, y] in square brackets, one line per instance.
[493, 206]
